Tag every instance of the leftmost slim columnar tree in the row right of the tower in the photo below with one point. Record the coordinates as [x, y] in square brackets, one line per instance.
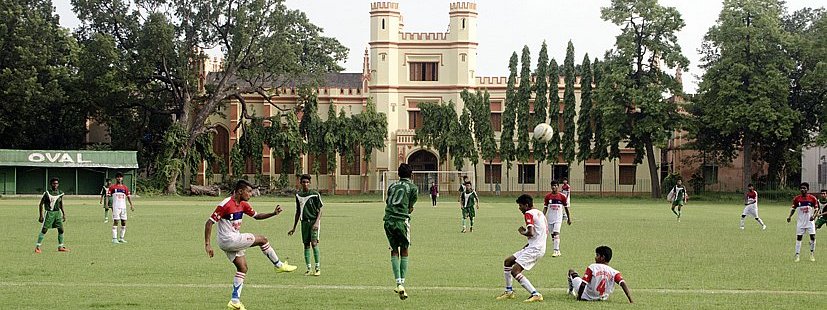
[509, 120]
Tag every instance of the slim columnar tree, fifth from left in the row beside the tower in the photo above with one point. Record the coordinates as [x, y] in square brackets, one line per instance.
[569, 106]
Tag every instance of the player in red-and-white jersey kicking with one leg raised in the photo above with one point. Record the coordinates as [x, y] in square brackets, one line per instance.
[228, 214]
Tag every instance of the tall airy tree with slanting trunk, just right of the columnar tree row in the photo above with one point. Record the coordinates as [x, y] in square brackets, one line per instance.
[634, 90]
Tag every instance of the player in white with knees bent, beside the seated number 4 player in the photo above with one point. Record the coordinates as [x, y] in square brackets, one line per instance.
[536, 231]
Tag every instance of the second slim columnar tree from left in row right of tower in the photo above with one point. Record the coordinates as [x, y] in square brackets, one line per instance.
[523, 115]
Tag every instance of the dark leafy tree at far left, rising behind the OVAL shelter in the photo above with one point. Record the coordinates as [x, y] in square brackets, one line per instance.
[39, 103]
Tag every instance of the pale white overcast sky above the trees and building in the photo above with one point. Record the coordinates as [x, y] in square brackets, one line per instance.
[503, 27]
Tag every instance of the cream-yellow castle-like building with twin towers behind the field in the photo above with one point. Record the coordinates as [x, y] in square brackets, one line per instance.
[404, 69]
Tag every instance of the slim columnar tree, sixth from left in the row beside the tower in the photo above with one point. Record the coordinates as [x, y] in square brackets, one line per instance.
[585, 121]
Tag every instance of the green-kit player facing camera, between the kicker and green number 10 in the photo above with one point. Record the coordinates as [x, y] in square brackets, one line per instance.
[309, 209]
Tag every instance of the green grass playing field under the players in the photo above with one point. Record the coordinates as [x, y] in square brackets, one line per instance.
[703, 262]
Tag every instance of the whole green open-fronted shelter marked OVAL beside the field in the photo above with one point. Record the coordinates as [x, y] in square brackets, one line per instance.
[24, 172]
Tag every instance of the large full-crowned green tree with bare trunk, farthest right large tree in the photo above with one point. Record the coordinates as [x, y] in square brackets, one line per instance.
[744, 91]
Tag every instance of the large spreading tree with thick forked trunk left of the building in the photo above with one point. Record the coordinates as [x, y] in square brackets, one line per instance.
[156, 47]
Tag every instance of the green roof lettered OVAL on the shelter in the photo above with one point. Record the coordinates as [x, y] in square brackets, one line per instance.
[69, 159]
